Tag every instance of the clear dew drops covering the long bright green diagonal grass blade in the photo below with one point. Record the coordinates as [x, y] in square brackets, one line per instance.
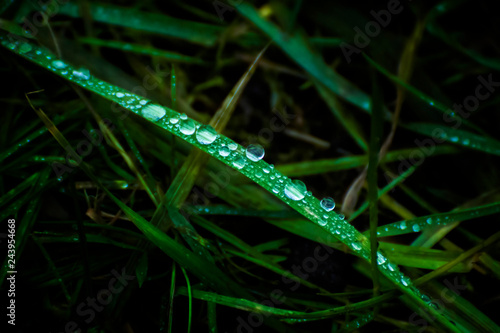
[245, 160]
